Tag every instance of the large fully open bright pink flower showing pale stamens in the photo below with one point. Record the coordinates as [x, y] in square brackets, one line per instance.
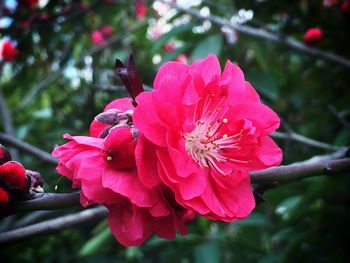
[200, 133]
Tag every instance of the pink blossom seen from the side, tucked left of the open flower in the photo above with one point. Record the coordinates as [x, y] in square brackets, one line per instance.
[103, 166]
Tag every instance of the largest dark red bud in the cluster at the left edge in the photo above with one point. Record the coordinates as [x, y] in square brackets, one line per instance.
[13, 175]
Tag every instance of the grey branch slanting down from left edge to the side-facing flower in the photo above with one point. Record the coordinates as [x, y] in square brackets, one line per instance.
[42, 155]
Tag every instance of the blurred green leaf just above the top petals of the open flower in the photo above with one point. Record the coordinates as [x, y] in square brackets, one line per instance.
[211, 44]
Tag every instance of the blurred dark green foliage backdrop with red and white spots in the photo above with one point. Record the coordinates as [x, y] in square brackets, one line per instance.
[57, 73]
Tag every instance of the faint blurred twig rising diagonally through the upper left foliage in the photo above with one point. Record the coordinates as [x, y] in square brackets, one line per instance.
[55, 75]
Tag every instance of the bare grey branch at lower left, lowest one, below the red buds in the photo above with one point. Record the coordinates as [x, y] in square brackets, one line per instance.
[53, 225]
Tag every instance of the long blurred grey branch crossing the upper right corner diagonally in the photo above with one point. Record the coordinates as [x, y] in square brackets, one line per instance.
[263, 34]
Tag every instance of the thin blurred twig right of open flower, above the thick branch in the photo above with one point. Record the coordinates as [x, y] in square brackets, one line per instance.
[311, 142]
